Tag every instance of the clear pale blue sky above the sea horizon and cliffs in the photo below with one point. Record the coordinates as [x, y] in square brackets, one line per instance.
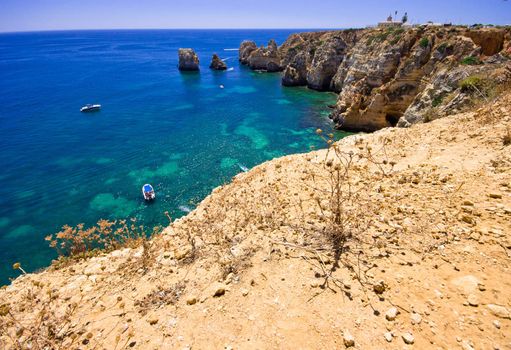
[28, 15]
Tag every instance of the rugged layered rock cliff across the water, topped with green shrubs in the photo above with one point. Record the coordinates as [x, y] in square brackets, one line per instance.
[390, 76]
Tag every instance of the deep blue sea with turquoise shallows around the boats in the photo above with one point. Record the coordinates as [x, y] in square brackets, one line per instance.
[178, 131]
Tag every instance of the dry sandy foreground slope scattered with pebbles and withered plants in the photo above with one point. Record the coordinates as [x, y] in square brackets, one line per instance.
[397, 237]
